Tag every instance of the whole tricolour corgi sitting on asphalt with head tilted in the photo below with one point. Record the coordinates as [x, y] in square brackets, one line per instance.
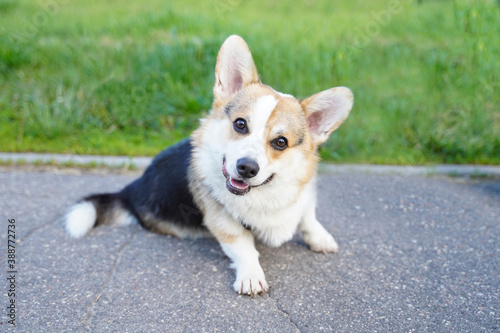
[249, 171]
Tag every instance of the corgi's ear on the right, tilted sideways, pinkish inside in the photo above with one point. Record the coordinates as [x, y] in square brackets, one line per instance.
[326, 111]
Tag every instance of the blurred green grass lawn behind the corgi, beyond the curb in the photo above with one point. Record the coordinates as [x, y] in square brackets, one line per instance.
[126, 77]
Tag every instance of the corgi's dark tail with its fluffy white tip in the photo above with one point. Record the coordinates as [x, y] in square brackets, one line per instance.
[95, 210]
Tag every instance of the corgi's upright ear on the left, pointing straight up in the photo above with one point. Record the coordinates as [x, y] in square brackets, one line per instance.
[235, 68]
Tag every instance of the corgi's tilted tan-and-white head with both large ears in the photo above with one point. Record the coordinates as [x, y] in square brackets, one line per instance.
[260, 136]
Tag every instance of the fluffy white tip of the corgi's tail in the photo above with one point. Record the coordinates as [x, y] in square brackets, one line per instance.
[80, 219]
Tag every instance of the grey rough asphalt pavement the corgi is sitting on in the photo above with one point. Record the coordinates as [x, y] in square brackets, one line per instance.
[417, 254]
